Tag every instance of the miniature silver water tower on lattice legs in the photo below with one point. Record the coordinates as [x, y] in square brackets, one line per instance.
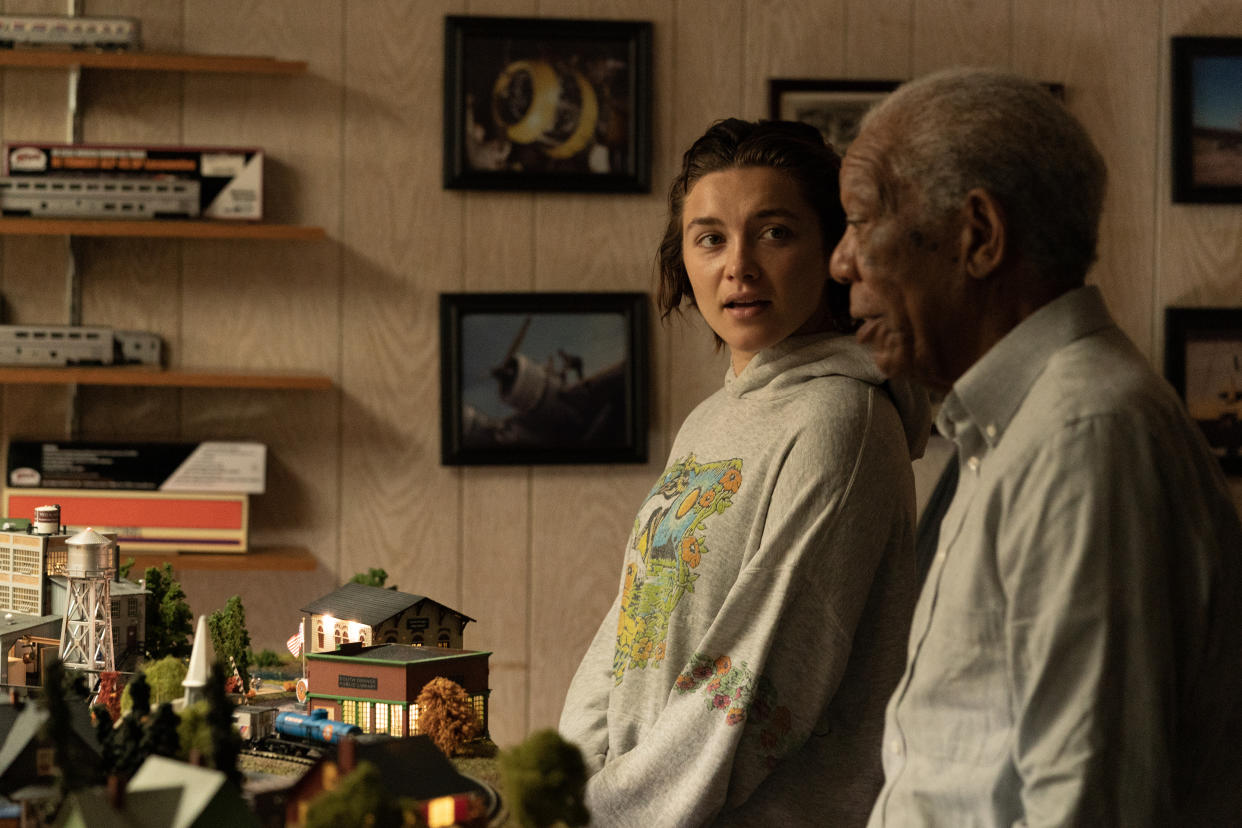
[86, 637]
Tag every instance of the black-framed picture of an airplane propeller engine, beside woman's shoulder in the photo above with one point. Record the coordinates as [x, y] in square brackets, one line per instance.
[543, 378]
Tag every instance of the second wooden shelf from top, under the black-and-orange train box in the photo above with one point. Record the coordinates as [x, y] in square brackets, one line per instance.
[158, 229]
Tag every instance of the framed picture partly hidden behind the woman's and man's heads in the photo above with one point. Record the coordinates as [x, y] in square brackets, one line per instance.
[835, 107]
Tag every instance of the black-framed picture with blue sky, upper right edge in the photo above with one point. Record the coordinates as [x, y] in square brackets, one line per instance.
[1207, 130]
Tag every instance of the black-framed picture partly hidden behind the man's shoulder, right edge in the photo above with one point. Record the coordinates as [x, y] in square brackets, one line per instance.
[1204, 363]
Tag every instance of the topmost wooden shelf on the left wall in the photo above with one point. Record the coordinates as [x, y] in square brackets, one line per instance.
[49, 59]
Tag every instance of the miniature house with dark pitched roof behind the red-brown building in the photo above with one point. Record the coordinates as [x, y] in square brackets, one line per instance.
[372, 615]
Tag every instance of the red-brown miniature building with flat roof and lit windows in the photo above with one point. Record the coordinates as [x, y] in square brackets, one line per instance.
[376, 688]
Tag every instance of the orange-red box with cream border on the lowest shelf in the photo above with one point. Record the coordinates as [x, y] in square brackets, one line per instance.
[151, 522]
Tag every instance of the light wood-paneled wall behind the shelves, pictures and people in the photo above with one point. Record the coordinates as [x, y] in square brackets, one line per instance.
[355, 146]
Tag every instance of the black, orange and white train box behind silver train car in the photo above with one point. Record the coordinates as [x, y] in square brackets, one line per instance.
[230, 179]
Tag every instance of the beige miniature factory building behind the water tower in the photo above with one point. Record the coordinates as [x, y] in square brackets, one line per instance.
[34, 598]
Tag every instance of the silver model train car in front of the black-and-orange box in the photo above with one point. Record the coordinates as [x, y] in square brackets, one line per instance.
[80, 197]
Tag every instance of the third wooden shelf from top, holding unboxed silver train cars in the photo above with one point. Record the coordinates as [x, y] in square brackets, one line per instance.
[142, 376]
